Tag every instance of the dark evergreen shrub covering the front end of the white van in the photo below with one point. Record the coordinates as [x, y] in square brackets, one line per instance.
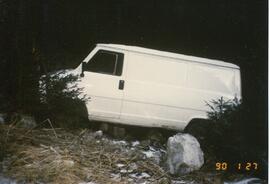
[62, 101]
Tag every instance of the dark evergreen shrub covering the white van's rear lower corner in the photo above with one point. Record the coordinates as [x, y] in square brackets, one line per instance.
[226, 133]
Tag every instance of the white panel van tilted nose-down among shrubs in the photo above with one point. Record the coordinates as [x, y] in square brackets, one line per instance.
[145, 87]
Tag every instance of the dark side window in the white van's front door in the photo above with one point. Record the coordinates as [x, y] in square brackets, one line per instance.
[106, 62]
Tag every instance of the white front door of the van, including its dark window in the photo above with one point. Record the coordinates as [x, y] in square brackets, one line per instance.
[103, 83]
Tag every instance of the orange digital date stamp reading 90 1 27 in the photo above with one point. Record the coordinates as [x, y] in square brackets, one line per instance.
[246, 166]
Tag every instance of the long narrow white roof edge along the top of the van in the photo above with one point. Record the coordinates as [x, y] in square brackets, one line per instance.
[169, 54]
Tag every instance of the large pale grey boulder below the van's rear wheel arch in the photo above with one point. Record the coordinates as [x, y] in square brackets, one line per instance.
[184, 154]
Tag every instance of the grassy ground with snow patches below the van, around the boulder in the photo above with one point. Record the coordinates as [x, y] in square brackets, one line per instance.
[88, 156]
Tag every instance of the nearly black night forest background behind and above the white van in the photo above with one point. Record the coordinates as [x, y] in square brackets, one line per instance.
[39, 36]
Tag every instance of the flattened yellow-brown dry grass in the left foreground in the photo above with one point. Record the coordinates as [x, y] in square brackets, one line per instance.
[59, 156]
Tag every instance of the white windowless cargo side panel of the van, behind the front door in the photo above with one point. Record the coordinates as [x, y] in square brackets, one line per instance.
[166, 92]
